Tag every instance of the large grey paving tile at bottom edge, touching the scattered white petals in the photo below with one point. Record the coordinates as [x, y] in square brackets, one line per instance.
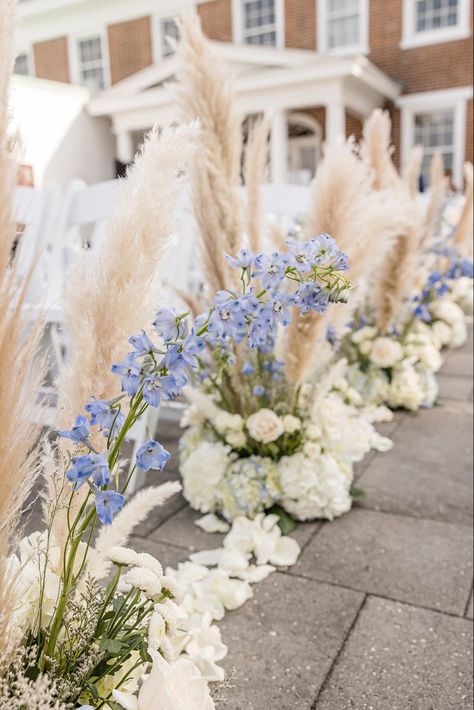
[283, 642]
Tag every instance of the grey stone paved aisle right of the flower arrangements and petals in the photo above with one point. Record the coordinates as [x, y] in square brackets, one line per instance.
[377, 612]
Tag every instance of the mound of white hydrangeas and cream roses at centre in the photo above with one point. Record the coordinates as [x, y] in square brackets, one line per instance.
[314, 481]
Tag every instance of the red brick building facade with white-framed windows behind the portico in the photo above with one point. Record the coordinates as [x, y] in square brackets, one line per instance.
[423, 46]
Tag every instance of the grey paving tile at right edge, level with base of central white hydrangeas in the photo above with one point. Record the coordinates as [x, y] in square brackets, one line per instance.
[440, 491]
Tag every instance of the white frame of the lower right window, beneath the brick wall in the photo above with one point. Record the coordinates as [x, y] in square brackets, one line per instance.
[427, 101]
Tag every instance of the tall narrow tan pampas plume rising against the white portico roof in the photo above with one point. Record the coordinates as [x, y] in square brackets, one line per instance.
[204, 92]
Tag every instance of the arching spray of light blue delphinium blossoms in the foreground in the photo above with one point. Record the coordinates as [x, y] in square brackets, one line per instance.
[150, 373]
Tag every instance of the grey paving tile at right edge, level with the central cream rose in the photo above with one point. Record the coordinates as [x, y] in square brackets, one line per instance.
[441, 434]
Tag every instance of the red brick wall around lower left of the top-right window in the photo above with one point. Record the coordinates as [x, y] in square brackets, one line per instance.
[428, 68]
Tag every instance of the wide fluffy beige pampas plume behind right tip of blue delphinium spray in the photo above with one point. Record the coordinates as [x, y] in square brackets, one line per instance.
[363, 223]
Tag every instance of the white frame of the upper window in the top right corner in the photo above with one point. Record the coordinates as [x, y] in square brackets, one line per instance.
[412, 38]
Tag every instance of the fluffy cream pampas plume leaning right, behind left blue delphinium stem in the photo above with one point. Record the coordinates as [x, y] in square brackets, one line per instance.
[113, 292]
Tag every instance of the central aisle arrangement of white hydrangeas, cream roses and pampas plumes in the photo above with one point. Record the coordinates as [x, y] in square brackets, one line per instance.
[268, 433]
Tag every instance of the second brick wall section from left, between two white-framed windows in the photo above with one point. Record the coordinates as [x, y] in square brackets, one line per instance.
[130, 47]
